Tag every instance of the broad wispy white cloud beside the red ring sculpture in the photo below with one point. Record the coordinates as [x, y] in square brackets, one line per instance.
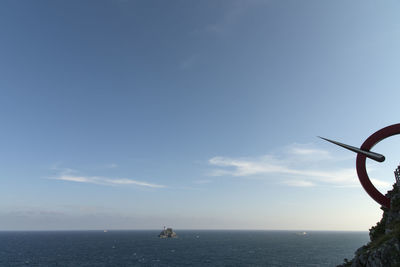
[298, 165]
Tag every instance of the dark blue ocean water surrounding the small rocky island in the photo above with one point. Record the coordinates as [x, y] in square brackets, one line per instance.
[191, 248]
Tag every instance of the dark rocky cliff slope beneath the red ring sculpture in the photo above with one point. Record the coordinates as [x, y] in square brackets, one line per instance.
[384, 247]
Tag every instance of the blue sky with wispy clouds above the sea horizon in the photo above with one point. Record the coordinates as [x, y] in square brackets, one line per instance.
[194, 114]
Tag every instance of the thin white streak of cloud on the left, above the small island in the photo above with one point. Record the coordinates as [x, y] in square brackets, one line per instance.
[105, 181]
